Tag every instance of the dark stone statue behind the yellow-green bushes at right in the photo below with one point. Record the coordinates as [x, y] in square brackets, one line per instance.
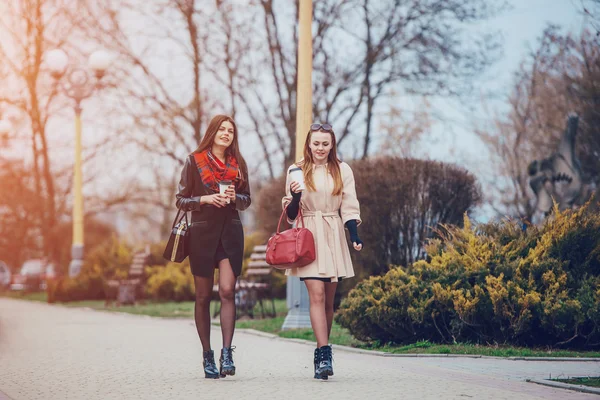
[559, 177]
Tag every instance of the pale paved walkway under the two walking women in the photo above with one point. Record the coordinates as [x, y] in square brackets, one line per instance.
[53, 352]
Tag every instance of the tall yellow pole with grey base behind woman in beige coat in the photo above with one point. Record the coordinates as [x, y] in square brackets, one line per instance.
[297, 296]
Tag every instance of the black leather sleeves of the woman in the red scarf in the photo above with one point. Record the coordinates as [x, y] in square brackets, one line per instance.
[191, 189]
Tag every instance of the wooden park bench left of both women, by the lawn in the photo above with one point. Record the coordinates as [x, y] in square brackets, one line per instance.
[131, 289]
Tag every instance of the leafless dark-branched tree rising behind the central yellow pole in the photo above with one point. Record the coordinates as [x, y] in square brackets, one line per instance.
[362, 49]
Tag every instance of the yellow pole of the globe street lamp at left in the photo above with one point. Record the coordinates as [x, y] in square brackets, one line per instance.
[77, 247]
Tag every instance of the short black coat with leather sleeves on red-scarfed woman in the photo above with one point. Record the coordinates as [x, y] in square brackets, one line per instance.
[216, 233]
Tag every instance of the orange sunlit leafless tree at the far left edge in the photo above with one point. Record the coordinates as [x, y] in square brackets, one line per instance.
[28, 29]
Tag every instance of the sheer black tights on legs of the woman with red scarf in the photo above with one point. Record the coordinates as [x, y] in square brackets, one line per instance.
[227, 280]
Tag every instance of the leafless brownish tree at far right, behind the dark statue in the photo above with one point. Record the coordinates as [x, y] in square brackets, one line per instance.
[560, 76]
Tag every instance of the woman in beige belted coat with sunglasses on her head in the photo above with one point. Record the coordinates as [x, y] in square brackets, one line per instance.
[327, 200]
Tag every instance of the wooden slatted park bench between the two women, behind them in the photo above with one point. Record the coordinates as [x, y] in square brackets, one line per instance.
[255, 289]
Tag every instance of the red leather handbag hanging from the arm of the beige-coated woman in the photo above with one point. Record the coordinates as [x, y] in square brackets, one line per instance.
[292, 248]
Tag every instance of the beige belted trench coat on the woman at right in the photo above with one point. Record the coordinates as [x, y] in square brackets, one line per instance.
[325, 215]
